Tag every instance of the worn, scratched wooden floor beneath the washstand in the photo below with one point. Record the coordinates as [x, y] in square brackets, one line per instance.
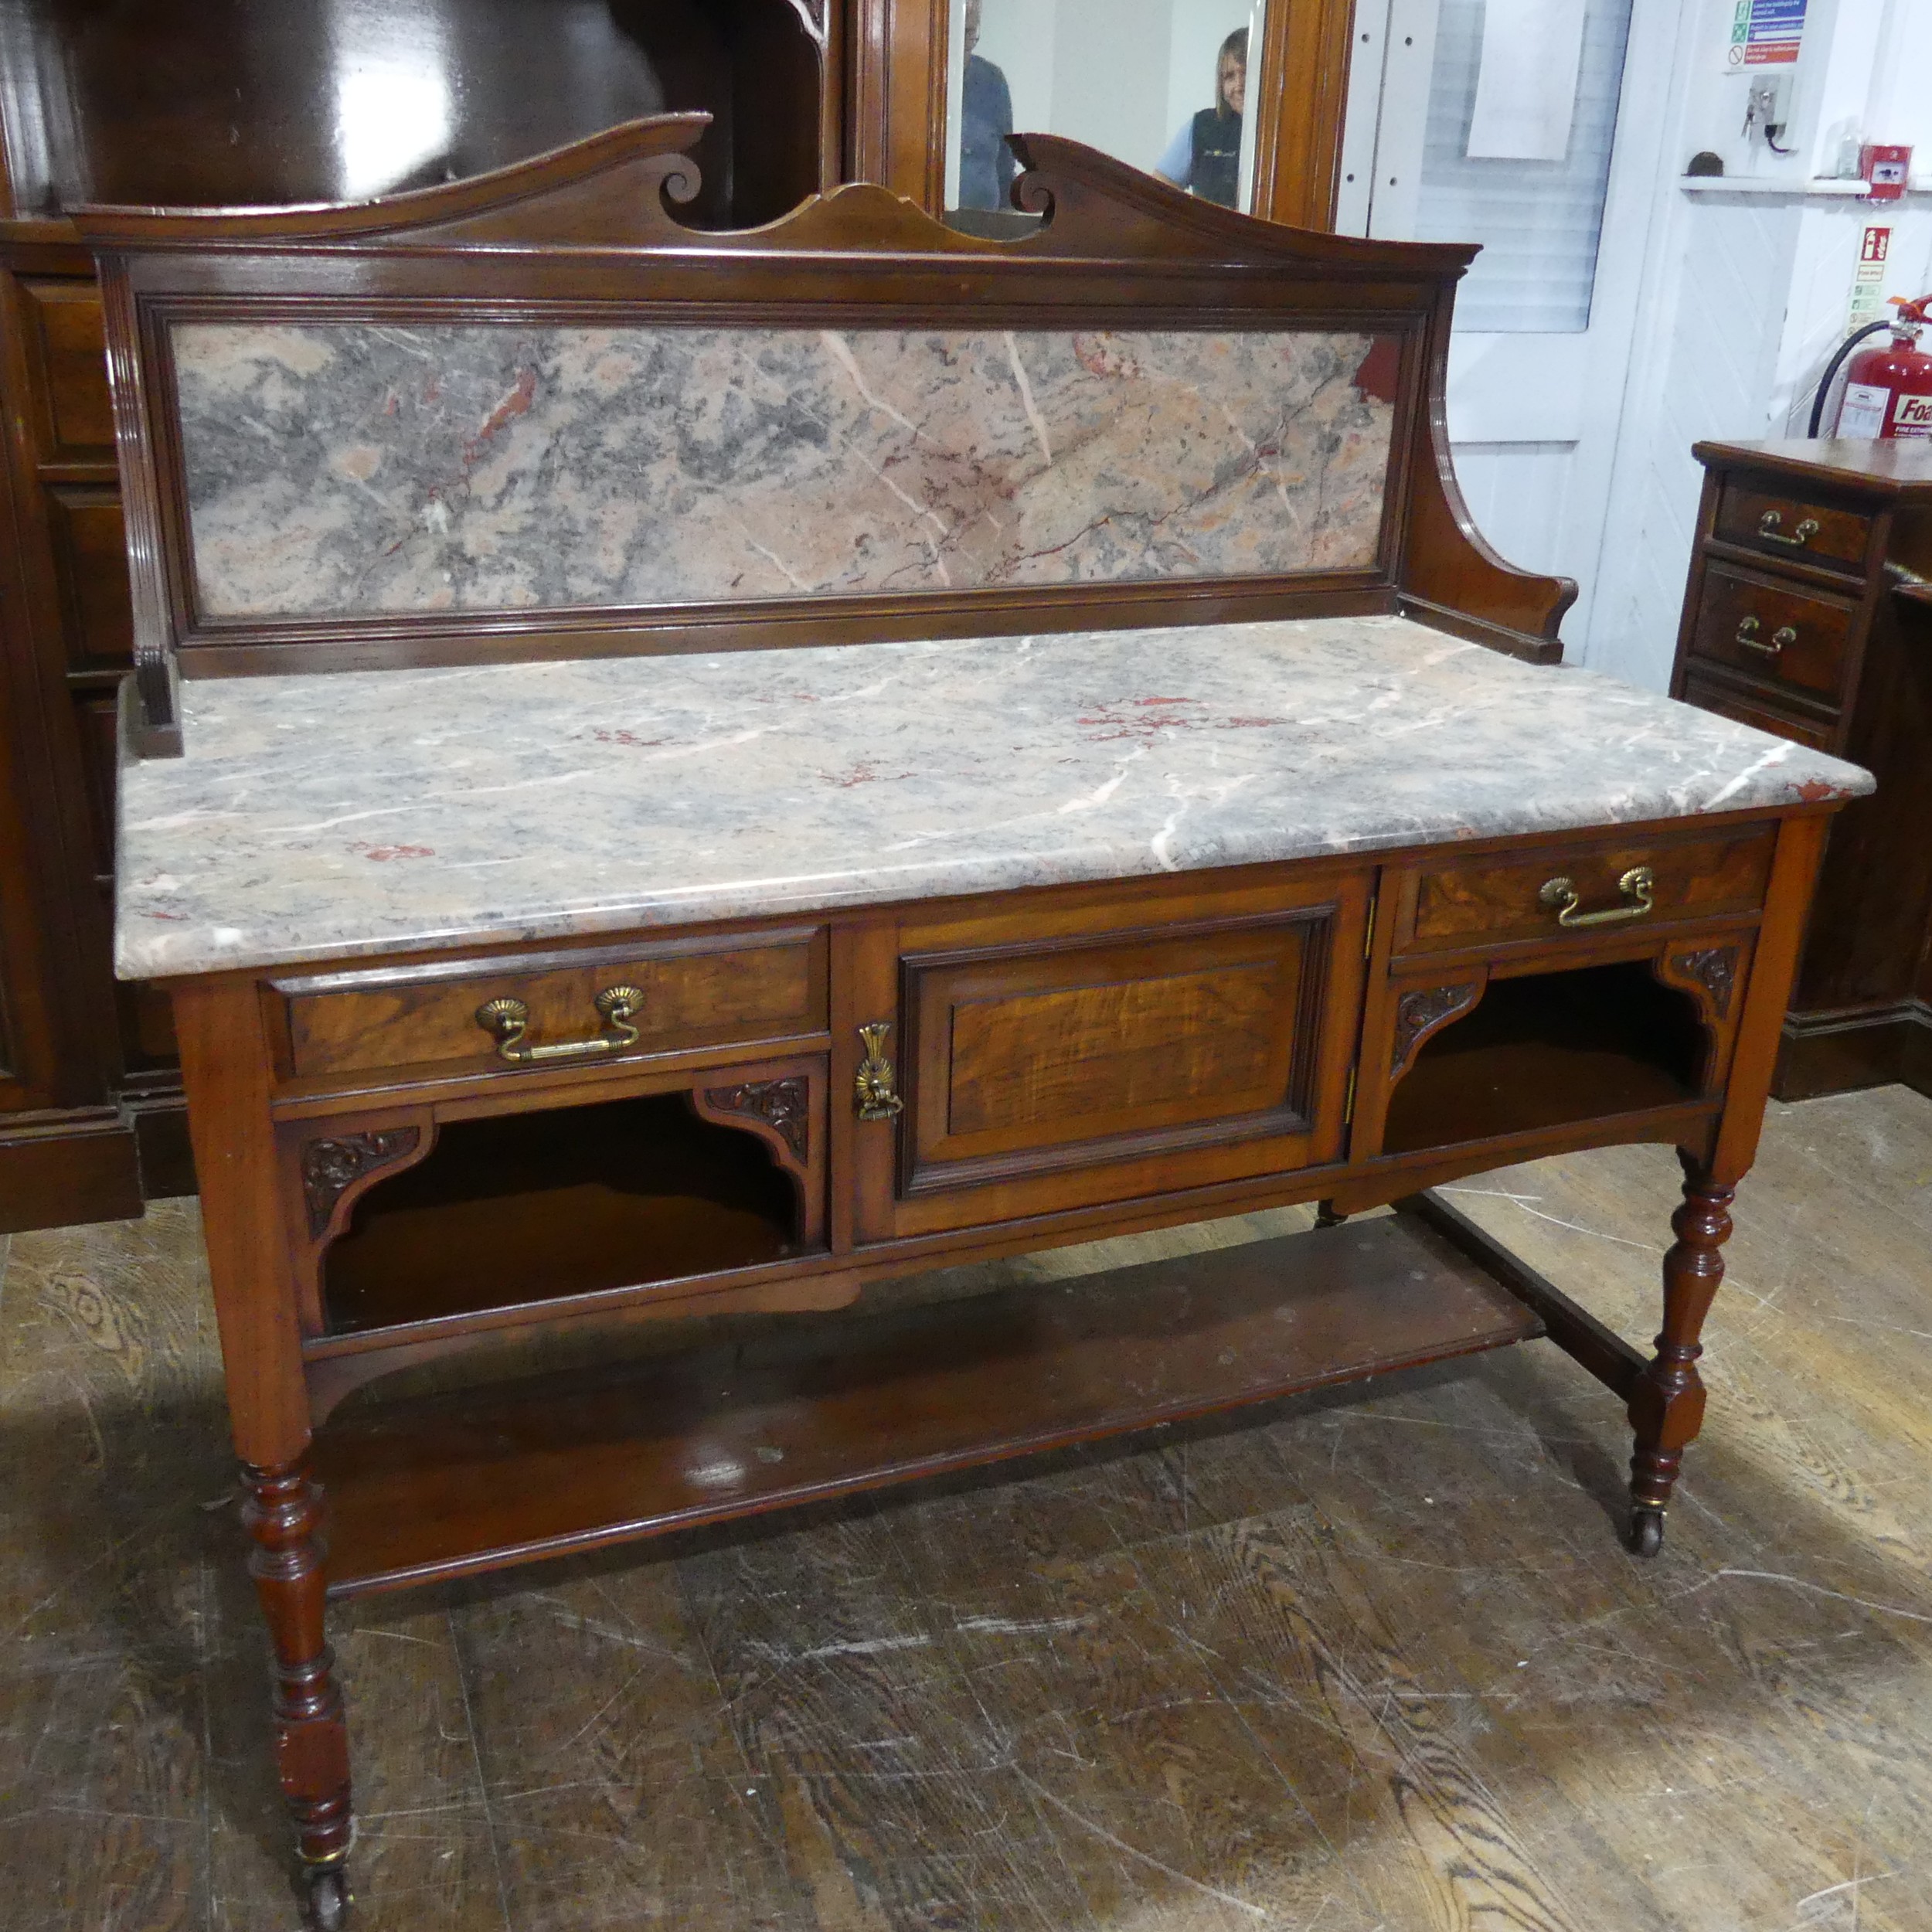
[1369, 1661]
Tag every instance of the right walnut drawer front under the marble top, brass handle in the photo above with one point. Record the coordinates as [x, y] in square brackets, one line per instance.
[1496, 901]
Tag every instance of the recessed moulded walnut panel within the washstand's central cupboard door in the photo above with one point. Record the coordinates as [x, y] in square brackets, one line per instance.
[1035, 1060]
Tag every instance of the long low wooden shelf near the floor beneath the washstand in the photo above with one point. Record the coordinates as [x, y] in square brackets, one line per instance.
[465, 1483]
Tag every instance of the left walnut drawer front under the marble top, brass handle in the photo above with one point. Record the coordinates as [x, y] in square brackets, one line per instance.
[737, 990]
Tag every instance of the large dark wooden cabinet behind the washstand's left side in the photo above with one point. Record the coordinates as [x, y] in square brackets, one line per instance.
[254, 103]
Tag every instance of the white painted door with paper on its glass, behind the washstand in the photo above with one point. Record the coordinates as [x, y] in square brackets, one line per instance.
[1545, 322]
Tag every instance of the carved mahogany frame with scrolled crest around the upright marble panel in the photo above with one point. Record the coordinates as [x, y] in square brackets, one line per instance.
[586, 235]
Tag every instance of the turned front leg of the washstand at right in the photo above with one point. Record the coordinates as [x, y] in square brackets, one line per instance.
[1668, 1404]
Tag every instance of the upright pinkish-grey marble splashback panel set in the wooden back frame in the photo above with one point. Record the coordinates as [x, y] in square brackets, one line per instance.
[362, 469]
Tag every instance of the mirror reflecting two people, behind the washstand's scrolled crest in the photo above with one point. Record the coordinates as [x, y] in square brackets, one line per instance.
[1158, 84]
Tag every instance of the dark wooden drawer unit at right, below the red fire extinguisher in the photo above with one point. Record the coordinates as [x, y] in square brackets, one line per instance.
[1805, 617]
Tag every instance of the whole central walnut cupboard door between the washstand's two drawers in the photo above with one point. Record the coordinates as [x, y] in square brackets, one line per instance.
[1067, 1071]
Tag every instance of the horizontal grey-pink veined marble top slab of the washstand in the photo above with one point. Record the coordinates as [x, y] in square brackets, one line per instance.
[372, 812]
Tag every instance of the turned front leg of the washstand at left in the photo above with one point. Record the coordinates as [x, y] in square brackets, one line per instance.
[283, 1516]
